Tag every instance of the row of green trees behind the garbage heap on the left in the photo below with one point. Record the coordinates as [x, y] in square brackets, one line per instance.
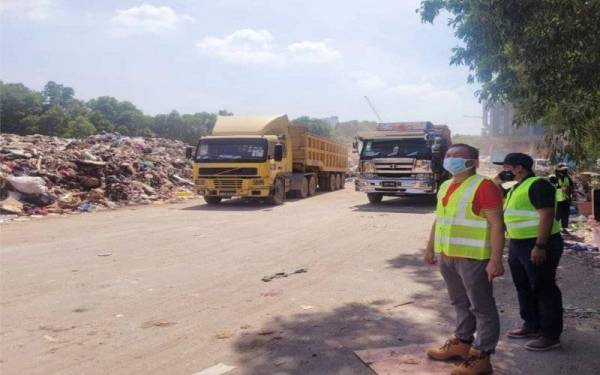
[55, 111]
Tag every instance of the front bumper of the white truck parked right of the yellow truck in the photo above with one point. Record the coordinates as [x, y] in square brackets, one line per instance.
[394, 186]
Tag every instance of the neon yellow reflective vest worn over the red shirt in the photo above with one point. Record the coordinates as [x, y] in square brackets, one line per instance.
[458, 231]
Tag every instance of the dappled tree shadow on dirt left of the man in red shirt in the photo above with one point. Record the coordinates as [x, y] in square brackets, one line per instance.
[324, 342]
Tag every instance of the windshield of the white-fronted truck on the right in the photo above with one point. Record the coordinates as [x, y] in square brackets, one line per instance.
[399, 148]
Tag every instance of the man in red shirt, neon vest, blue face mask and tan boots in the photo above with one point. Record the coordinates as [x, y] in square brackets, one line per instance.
[468, 235]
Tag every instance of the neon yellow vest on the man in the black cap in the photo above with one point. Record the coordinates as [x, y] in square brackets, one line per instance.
[520, 215]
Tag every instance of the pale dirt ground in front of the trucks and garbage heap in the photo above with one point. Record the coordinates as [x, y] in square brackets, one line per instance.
[175, 289]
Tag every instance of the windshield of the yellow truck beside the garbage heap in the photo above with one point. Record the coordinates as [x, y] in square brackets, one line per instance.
[228, 150]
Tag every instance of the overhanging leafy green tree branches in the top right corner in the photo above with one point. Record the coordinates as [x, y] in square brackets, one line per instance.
[540, 55]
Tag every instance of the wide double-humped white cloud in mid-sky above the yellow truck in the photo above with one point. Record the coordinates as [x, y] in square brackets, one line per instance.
[259, 47]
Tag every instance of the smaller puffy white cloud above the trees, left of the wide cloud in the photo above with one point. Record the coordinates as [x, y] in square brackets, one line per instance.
[145, 19]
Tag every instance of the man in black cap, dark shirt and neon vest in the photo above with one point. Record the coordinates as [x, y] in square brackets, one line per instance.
[535, 249]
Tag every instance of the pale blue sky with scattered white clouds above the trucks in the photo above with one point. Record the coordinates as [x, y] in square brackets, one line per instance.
[316, 58]
